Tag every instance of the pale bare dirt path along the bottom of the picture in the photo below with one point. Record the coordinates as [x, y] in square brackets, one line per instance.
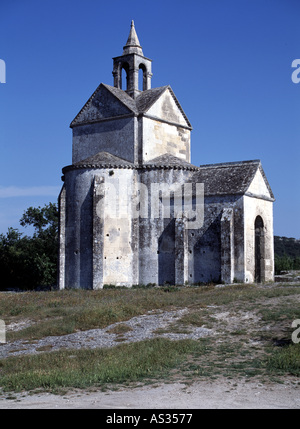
[221, 394]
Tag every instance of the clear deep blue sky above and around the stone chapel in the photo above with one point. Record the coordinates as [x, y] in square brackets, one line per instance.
[228, 62]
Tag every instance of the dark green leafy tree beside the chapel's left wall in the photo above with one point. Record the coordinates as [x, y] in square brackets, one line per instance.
[28, 262]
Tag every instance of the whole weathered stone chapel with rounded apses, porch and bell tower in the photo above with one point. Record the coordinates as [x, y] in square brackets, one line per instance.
[122, 204]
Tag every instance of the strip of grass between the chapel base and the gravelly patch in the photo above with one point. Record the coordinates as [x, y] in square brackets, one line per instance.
[64, 312]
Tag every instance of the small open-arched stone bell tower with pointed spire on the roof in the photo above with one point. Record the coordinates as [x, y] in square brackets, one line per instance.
[132, 61]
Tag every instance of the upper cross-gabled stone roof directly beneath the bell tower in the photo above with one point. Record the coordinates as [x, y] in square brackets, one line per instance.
[138, 106]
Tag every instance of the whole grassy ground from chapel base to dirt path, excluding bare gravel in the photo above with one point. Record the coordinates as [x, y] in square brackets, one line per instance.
[239, 348]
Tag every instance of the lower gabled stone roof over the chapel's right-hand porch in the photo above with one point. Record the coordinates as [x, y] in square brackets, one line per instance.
[230, 178]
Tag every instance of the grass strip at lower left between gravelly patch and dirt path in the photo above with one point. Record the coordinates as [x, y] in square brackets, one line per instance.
[85, 368]
